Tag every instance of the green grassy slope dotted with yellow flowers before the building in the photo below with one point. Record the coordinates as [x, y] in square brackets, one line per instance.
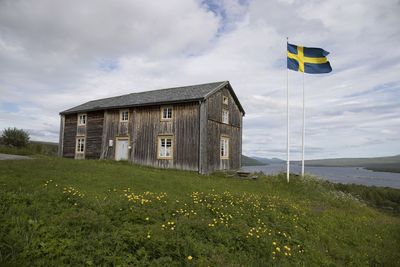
[56, 212]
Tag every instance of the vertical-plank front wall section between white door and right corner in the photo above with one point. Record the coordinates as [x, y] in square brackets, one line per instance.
[184, 127]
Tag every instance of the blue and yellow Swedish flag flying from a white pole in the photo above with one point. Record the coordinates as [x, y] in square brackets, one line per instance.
[308, 59]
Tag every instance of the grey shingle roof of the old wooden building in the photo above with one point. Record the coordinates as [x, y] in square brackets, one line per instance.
[161, 96]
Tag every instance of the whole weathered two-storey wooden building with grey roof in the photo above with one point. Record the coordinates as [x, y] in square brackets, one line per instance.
[196, 127]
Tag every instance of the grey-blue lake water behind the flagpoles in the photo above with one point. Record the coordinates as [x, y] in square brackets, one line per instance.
[345, 175]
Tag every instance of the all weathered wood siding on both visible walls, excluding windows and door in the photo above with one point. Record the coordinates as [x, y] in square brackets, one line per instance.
[196, 129]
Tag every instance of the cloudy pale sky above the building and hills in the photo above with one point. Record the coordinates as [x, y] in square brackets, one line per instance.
[58, 54]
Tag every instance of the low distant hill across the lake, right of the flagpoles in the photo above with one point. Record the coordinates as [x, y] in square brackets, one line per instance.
[390, 164]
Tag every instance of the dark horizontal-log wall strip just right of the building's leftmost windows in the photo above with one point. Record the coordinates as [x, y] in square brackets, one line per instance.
[94, 132]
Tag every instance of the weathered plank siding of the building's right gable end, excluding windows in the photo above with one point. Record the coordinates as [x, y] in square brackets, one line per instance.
[216, 129]
